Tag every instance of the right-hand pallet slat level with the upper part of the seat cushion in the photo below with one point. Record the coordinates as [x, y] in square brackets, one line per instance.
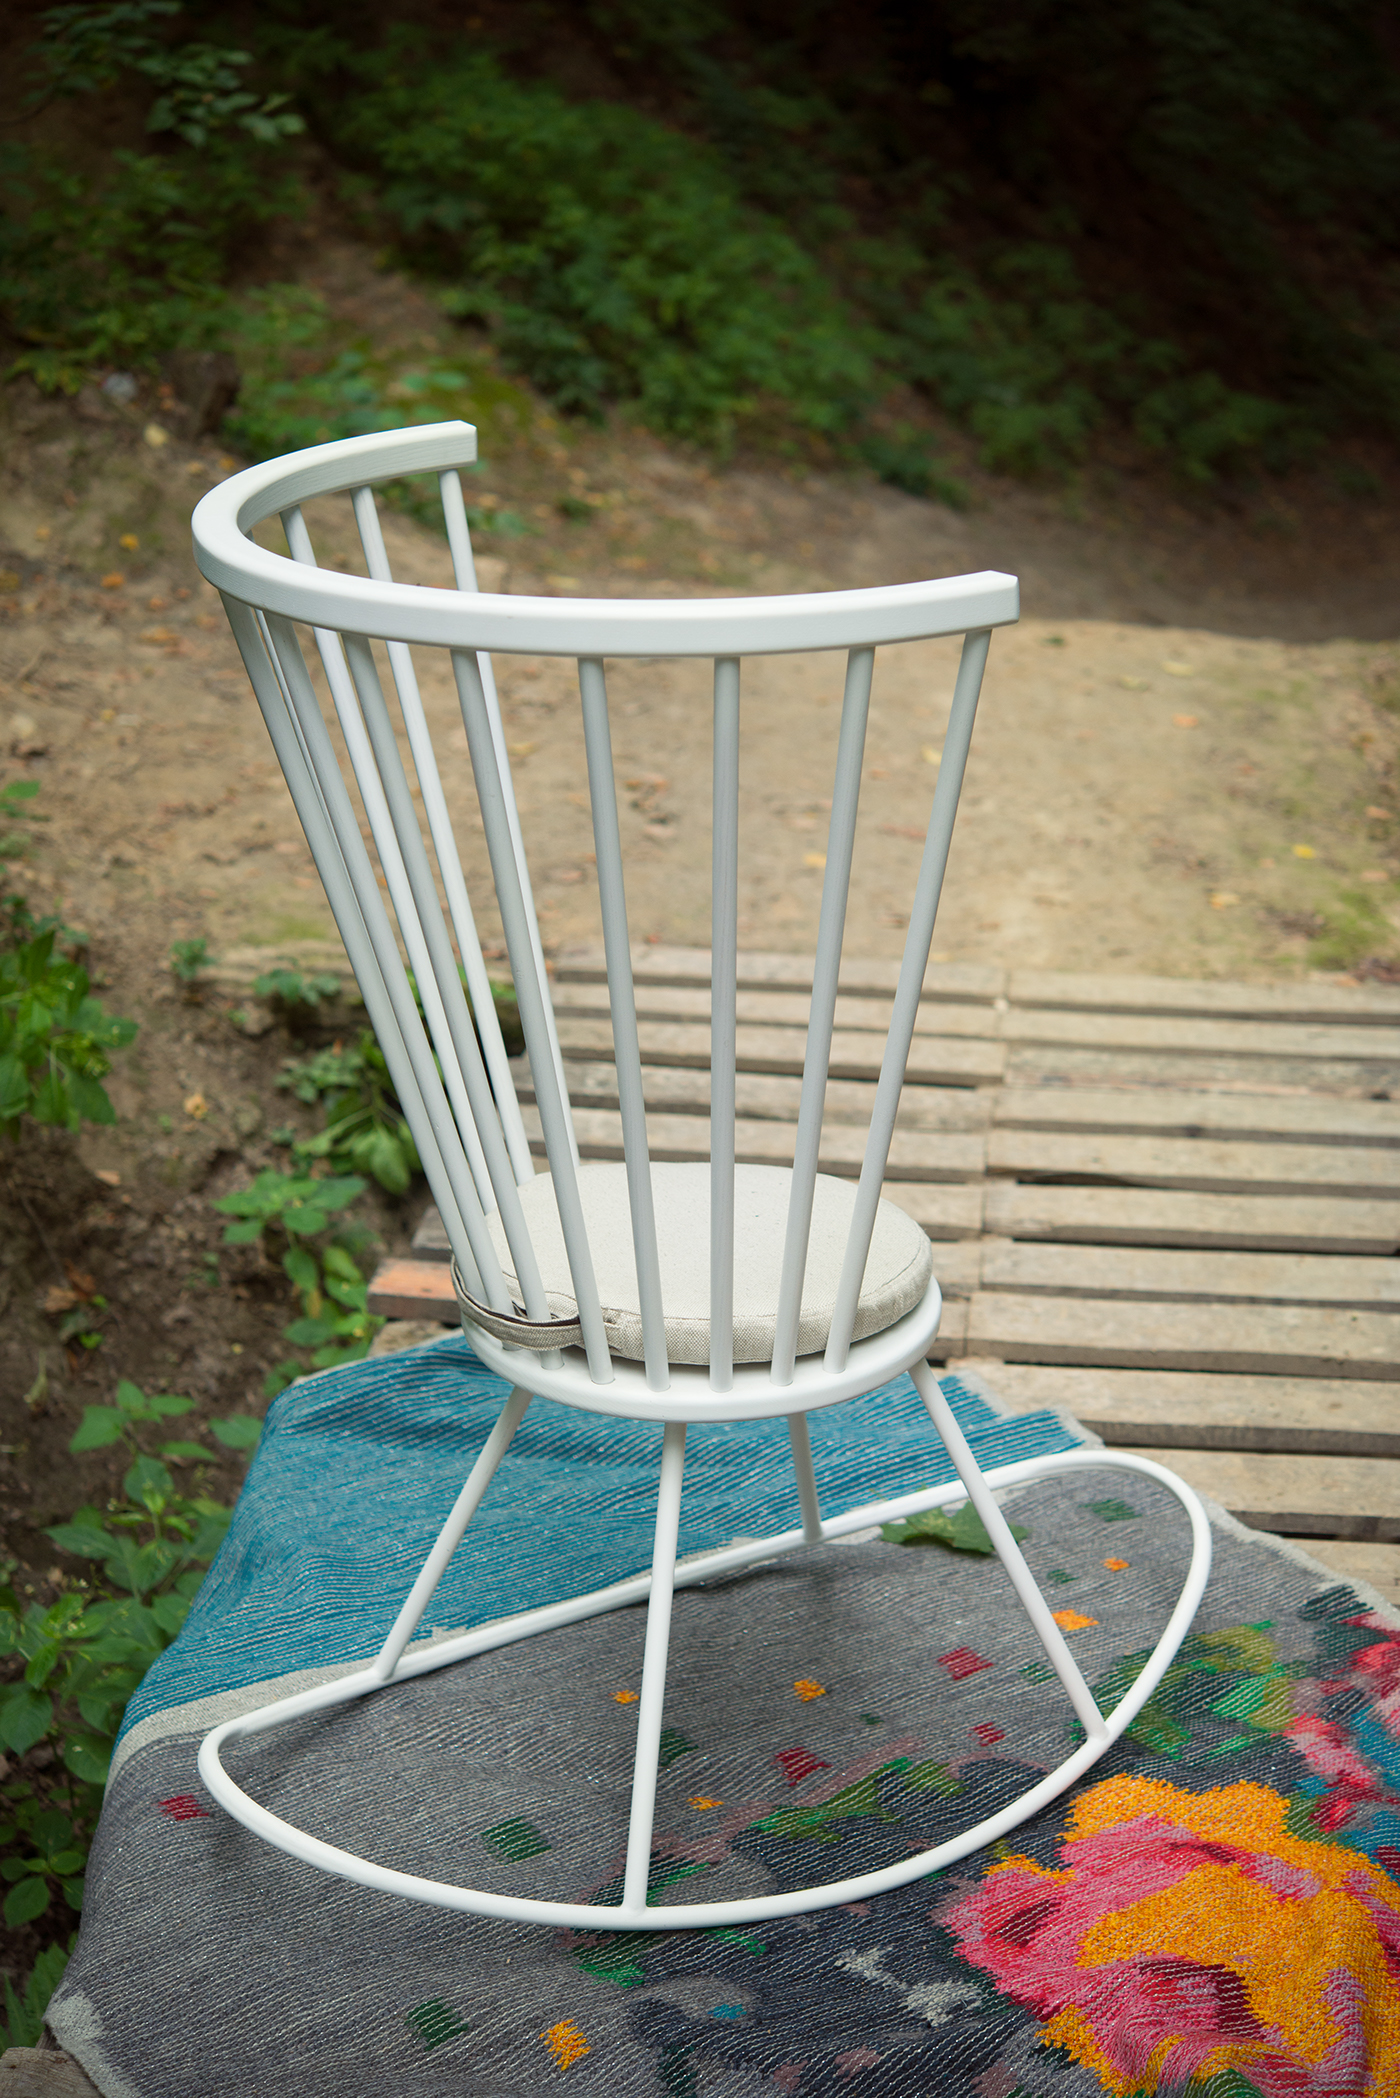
[1151, 1218]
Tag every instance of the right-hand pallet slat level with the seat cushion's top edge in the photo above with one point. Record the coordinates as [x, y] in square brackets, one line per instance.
[1204, 1163]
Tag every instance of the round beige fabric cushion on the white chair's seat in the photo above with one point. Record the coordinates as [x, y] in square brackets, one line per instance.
[897, 1270]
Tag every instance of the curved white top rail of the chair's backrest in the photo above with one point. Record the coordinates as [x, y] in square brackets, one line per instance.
[543, 626]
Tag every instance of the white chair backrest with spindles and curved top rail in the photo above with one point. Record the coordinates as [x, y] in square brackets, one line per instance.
[452, 1075]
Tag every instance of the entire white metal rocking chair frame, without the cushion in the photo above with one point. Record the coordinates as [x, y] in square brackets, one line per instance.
[454, 1084]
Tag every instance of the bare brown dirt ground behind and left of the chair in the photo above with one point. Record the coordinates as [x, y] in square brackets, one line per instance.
[1187, 763]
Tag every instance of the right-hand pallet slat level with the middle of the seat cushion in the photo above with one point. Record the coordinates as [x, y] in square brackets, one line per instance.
[1183, 1277]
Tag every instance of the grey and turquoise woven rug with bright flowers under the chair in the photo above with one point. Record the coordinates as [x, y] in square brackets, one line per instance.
[1214, 1910]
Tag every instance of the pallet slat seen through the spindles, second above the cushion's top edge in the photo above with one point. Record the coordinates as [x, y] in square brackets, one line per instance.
[769, 1096]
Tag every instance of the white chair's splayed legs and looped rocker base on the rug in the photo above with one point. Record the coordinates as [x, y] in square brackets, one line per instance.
[398, 1663]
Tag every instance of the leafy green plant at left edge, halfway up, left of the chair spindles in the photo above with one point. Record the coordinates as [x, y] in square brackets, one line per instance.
[56, 1040]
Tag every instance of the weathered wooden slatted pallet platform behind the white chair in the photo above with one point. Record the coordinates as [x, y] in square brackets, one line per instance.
[1170, 1207]
